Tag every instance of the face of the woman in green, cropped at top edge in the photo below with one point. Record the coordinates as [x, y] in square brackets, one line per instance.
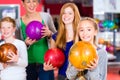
[30, 5]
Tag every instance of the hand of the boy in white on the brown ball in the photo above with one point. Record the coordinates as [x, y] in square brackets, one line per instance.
[12, 56]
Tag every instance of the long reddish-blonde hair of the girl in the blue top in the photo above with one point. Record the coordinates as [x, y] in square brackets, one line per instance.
[61, 36]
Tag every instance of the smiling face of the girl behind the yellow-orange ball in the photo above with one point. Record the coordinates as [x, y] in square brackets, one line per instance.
[87, 31]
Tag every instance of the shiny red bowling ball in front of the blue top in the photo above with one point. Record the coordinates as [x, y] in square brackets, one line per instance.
[56, 57]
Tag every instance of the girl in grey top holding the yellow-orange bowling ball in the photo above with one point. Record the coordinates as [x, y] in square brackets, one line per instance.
[87, 31]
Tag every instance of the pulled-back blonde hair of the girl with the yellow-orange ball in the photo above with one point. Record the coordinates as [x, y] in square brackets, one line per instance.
[93, 21]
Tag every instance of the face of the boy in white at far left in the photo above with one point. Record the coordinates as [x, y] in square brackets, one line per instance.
[7, 29]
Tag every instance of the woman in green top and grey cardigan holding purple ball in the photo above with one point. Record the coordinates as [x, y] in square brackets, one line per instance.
[38, 48]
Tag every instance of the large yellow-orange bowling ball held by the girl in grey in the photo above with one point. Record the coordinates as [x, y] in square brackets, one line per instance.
[81, 54]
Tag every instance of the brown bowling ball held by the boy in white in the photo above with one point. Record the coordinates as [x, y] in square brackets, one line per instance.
[4, 48]
